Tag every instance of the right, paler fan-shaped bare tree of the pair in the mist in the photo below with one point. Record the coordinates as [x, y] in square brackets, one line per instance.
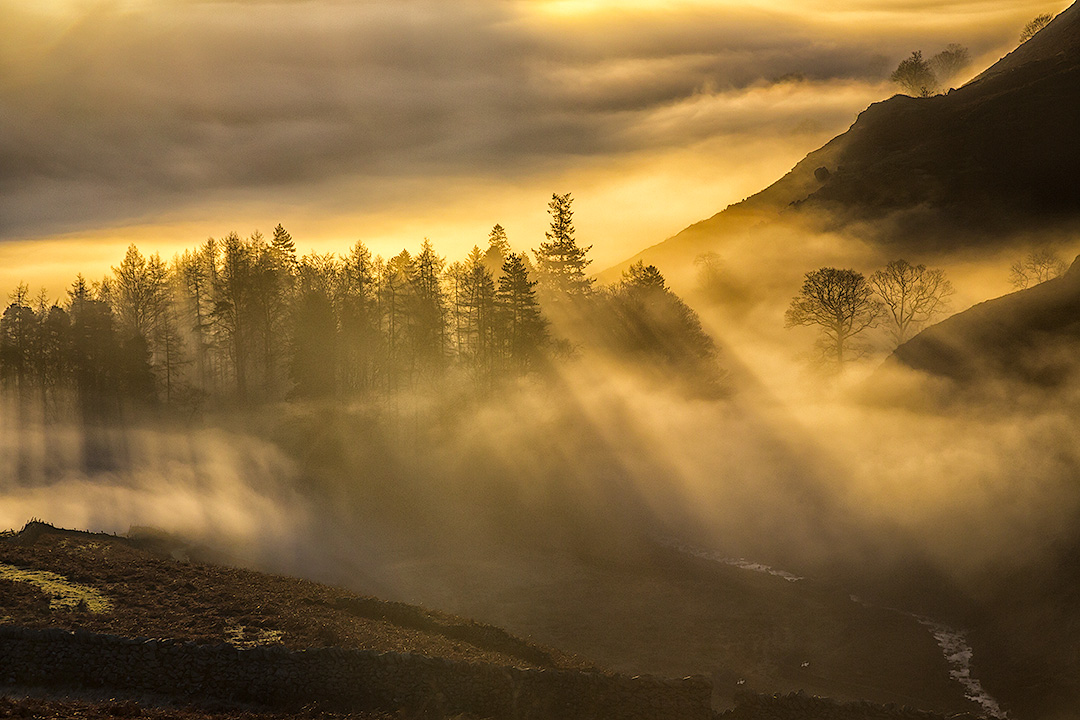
[912, 295]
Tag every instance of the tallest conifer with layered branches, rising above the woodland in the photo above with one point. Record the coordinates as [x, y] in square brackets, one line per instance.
[561, 262]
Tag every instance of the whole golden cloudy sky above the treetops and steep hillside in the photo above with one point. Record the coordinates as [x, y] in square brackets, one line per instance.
[164, 123]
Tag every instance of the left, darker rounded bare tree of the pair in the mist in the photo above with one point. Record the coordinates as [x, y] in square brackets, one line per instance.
[839, 302]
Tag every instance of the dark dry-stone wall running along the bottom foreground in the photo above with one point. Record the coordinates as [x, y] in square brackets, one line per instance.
[341, 680]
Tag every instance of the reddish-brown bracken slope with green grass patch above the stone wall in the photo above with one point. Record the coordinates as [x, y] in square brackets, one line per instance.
[52, 578]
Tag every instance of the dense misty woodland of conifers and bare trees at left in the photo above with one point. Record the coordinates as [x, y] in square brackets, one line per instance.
[242, 321]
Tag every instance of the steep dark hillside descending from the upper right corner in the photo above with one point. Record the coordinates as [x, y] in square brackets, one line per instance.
[971, 168]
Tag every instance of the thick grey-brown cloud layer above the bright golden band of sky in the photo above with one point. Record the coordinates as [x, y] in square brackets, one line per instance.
[116, 112]
